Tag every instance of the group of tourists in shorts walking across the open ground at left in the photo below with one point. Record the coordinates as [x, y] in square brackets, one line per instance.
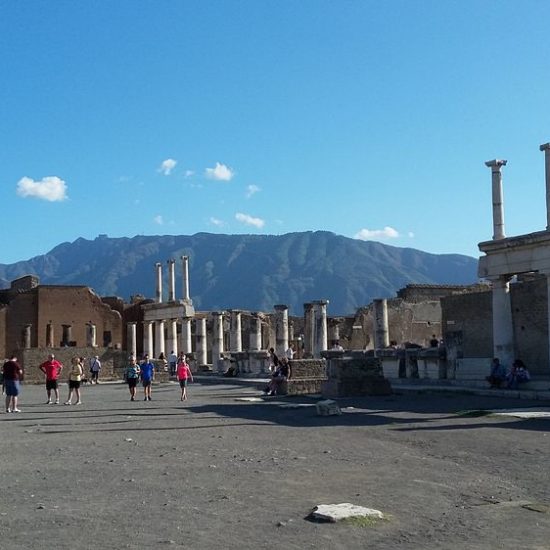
[52, 369]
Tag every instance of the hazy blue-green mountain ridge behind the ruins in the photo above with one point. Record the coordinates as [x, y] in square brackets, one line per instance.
[252, 272]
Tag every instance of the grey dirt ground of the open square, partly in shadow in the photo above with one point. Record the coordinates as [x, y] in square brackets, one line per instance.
[216, 472]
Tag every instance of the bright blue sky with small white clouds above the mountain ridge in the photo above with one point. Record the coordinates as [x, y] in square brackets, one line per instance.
[371, 119]
